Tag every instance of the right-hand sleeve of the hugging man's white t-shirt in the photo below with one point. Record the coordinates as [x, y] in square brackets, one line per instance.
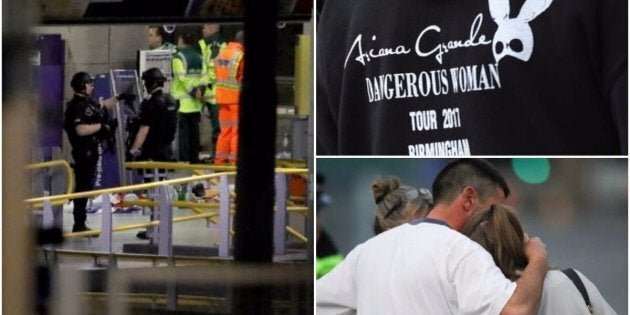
[480, 286]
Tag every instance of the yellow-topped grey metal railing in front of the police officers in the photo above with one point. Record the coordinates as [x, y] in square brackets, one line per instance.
[165, 203]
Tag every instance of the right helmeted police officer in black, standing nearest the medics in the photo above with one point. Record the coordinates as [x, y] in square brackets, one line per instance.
[158, 123]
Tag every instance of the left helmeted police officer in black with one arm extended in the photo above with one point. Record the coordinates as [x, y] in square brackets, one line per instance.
[86, 126]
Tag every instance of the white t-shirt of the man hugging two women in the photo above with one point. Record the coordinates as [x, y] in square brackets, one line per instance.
[425, 268]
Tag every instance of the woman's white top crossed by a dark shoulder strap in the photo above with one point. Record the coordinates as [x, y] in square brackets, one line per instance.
[561, 297]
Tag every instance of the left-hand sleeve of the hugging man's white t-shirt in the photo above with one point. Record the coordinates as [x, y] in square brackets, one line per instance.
[336, 291]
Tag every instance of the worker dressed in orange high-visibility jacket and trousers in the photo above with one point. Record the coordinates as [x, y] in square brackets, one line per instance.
[229, 75]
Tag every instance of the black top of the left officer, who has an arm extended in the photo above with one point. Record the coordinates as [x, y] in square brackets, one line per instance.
[82, 111]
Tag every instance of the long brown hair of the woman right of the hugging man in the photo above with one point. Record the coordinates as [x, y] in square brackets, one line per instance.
[498, 230]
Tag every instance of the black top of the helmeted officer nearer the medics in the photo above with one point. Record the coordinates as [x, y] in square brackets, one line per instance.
[159, 112]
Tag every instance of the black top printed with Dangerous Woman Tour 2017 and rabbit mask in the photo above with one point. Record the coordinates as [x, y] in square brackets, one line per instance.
[442, 78]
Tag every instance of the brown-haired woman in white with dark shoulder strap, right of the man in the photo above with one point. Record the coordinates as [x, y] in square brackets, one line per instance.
[498, 230]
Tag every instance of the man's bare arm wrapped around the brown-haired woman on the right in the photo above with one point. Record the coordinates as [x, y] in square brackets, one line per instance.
[526, 297]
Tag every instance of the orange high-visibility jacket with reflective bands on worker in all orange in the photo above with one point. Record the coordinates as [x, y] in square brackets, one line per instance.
[229, 70]
